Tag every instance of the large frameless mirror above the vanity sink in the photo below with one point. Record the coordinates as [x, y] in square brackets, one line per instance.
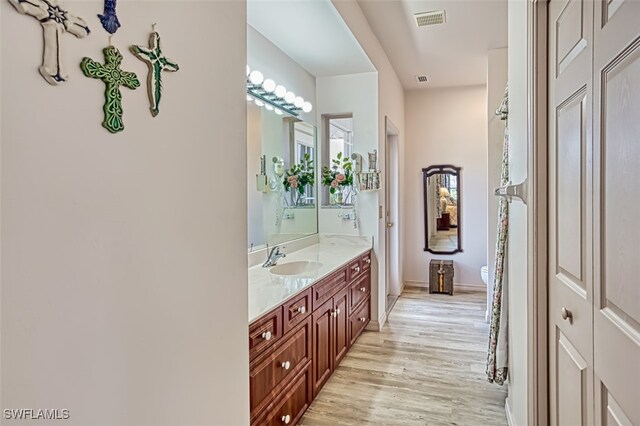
[282, 193]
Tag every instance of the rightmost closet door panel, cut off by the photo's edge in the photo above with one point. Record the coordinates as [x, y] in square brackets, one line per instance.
[617, 212]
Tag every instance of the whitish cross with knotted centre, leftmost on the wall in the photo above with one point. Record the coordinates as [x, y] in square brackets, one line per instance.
[54, 21]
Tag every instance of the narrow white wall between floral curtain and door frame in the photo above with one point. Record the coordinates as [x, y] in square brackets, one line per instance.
[519, 384]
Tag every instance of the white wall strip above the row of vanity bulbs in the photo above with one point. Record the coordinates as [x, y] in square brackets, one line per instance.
[266, 57]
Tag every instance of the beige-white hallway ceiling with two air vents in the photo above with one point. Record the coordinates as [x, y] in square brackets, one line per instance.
[450, 54]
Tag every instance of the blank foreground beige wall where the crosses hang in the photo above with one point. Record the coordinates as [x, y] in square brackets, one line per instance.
[124, 267]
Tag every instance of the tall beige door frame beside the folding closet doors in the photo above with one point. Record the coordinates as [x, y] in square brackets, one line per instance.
[537, 265]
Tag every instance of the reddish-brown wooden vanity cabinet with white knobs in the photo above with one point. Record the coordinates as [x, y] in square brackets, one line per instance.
[296, 347]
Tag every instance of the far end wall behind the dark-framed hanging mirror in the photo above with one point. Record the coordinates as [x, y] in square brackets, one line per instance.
[447, 126]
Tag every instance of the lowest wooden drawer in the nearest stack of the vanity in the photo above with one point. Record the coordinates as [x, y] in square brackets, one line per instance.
[294, 402]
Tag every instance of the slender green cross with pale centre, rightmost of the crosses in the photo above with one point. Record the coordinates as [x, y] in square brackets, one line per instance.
[157, 63]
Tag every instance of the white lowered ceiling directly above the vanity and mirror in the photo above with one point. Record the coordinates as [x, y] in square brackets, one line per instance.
[312, 33]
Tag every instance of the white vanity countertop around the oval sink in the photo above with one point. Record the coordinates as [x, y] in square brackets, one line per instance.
[333, 252]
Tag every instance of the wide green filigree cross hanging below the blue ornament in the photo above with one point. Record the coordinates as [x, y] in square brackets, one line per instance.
[113, 77]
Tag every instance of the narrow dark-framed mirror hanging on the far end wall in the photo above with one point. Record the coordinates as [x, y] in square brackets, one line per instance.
[442, 200]
